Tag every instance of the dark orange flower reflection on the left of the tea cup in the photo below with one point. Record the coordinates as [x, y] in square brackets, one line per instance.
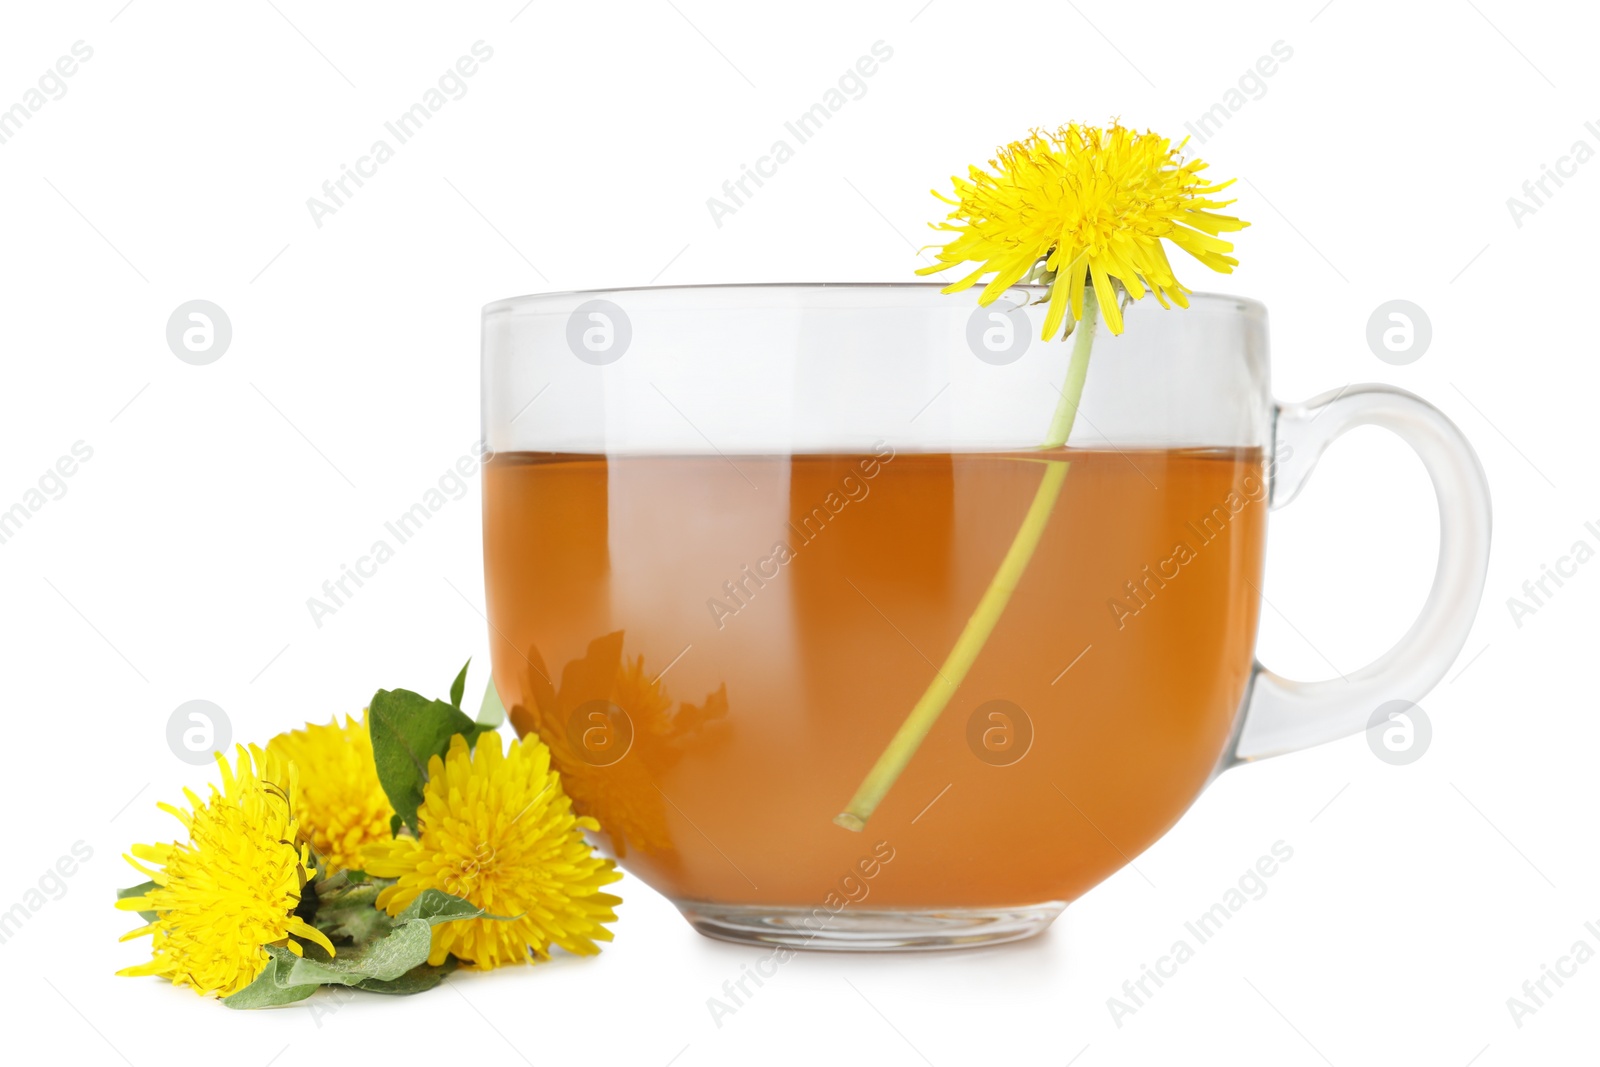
[612, 732]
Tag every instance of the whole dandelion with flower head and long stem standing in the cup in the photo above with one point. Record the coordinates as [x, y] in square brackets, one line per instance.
[1081, 207]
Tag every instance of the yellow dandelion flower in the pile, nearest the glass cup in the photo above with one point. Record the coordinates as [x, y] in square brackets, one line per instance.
[498, 831]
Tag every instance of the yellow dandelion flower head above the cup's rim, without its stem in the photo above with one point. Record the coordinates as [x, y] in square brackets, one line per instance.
[1086, 204]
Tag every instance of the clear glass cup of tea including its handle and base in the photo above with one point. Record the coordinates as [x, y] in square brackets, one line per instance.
[737, 535]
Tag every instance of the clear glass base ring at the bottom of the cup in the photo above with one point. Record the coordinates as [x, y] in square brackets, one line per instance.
[866, 930]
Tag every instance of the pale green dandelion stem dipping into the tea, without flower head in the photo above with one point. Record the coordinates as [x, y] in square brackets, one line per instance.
[881, 780]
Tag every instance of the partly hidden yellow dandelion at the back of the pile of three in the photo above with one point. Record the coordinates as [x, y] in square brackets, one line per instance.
[342, 805]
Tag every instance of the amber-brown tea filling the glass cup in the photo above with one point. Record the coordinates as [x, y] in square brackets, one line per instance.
[602, 573]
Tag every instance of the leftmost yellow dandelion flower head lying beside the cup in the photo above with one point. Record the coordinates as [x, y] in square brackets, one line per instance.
[233, 889]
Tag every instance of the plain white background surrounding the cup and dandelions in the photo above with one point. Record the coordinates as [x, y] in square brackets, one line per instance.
[220, 498]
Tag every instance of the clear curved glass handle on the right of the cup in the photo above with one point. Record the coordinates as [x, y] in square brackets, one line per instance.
[1284, 716]
